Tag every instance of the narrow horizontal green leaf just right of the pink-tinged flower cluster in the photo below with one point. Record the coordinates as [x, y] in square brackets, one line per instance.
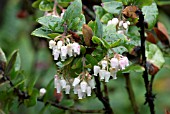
[133, 68]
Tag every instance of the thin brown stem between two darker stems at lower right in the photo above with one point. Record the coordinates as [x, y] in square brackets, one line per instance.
[131, 93]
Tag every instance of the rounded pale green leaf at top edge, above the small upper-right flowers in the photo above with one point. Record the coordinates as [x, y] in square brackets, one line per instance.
[113, 7]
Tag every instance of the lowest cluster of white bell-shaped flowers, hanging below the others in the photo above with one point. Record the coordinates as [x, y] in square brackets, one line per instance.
[81, 87]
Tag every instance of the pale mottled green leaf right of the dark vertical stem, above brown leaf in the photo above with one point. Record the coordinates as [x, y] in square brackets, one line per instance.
[154, 55]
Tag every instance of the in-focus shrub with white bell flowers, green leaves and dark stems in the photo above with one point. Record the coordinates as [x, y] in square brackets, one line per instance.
[87, 55]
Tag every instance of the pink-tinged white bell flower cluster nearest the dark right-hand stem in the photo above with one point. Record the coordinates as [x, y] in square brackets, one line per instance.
[110, 67]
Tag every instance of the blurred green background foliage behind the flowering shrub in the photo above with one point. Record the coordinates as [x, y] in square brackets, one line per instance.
[36, 59]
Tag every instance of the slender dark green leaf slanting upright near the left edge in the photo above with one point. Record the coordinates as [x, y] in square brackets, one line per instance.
[11, 62]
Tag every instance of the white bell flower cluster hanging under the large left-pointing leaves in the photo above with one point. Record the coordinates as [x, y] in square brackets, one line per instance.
[59, 49]
